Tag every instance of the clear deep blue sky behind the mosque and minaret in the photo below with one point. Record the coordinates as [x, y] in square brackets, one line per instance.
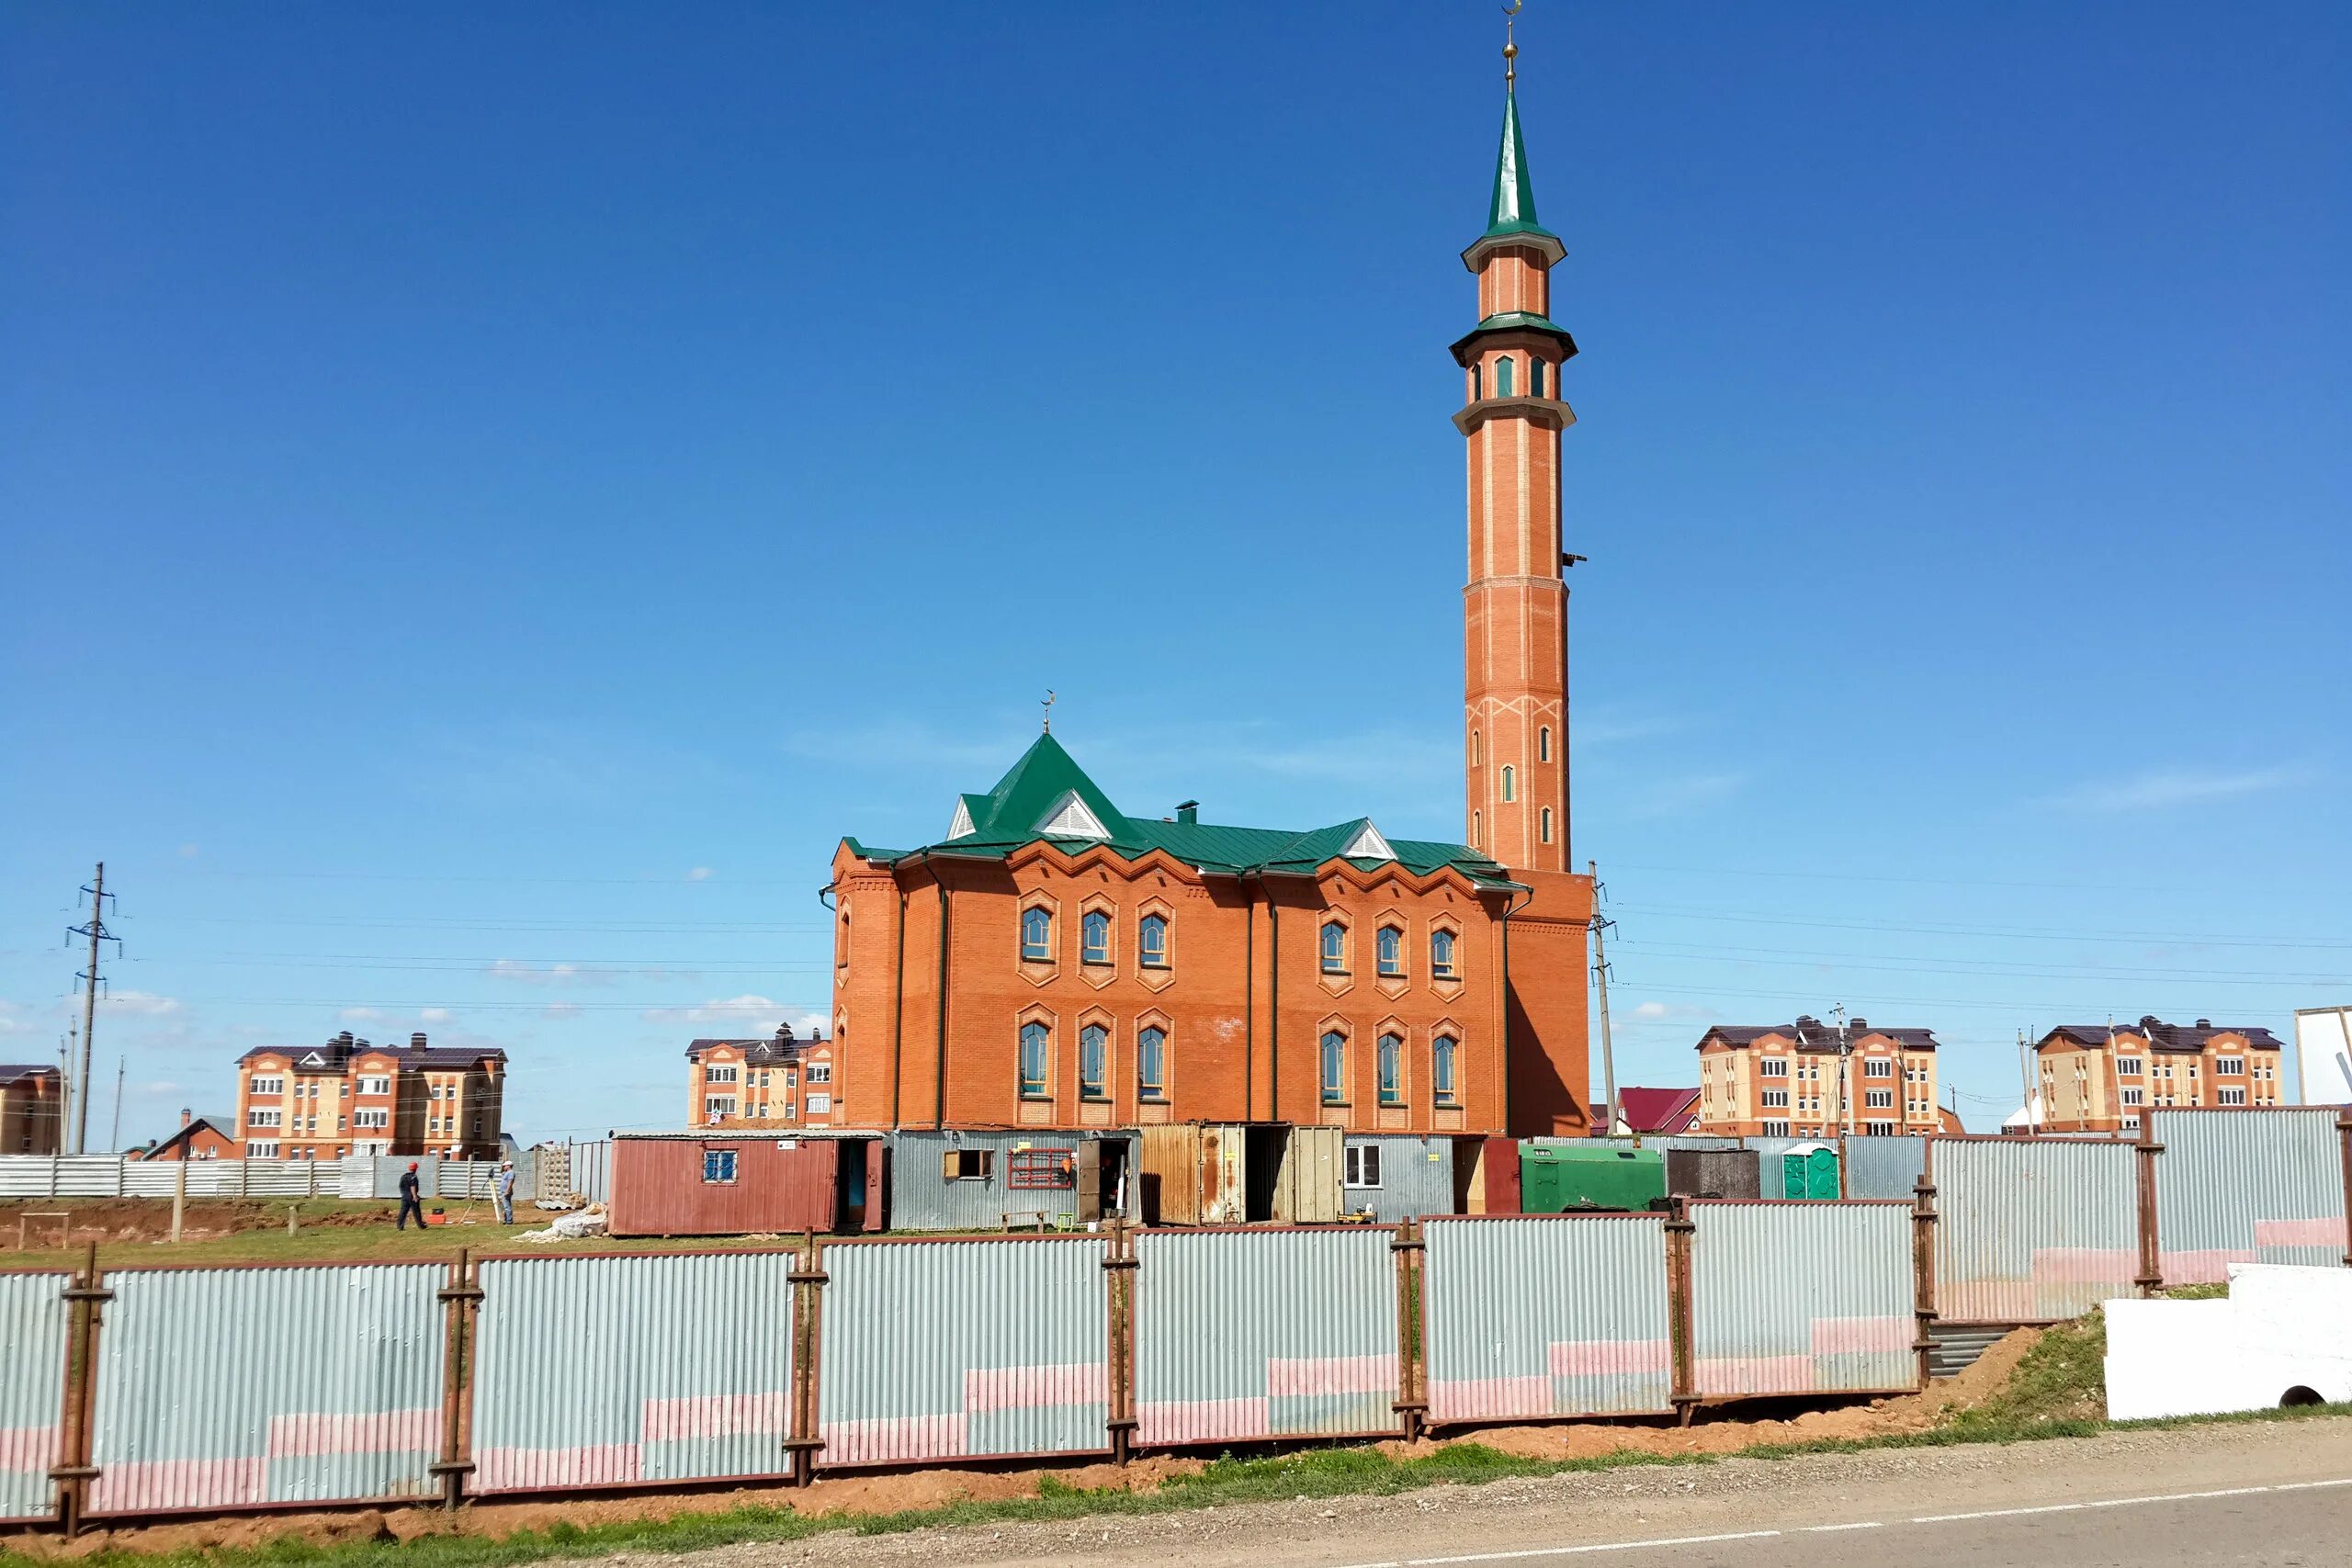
[493, 495]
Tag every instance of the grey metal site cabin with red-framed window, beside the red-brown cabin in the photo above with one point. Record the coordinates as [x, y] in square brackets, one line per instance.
[977, 1181]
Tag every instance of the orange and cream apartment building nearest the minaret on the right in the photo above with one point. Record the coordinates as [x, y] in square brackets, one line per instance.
[1810, 1080]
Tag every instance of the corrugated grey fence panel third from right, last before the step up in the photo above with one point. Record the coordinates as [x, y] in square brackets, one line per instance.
[1798, 1299]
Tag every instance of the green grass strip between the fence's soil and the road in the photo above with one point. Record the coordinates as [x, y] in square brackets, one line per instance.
[1323, 1473]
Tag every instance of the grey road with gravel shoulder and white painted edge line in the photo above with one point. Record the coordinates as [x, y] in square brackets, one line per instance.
[2269, 1496]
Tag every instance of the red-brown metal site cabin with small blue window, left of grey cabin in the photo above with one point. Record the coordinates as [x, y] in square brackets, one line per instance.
[737, 1184]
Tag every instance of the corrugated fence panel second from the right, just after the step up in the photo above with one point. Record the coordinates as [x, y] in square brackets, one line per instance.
[2033, 1228]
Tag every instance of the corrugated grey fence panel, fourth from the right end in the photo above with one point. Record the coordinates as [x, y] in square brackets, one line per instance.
[1549, 1315]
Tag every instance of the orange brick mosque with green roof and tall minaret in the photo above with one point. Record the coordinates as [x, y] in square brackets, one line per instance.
[1055, 960]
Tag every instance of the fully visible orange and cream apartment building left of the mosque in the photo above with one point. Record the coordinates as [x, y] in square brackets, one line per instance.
[349, 1097]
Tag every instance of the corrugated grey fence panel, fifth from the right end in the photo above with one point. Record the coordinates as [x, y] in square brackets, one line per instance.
[1250, 1334]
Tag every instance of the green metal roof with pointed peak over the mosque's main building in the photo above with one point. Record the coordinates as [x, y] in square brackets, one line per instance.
[1048, 798]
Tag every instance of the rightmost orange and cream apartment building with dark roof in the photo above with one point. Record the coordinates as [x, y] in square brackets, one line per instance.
[2099, 1078]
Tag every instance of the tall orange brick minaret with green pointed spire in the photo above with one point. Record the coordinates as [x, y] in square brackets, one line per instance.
[1516, 610]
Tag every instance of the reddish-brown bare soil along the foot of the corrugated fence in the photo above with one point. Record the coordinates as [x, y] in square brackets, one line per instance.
[928, 1489]
